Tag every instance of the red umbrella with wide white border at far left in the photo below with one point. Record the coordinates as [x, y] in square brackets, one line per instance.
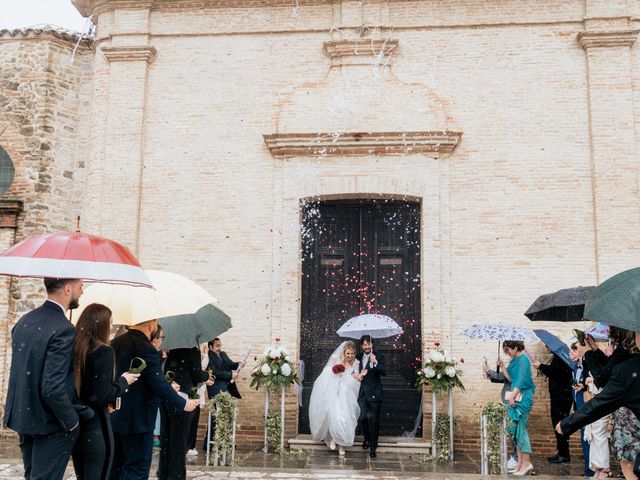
[73, 255]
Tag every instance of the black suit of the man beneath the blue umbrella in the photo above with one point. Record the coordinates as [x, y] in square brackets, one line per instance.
[560, 378]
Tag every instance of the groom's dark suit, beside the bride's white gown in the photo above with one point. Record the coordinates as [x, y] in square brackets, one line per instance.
[370, 399]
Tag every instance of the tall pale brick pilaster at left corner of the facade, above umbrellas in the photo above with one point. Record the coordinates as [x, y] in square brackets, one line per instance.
[127, 54]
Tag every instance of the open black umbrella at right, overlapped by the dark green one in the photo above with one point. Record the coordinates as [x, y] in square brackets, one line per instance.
[565, 305]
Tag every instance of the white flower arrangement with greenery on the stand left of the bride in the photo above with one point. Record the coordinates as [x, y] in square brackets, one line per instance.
[274, 369]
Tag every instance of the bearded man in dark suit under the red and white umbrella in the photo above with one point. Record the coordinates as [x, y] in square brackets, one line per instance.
[41, 396]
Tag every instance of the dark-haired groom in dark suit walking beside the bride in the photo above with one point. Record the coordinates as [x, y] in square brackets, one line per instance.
[370, 395]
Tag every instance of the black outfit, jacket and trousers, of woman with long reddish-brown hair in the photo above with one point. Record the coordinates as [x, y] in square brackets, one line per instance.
[93, 453]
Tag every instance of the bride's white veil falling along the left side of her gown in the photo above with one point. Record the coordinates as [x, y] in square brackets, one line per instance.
[324, 389]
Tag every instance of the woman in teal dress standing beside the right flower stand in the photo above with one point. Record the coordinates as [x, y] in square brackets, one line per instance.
[521, 401]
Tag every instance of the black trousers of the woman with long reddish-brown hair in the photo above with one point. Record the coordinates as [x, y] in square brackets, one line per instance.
[93, 453]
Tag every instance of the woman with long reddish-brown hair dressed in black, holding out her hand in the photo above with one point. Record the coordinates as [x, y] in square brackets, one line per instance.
[94, 372]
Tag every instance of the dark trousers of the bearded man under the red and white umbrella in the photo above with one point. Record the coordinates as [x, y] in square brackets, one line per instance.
[46, 457]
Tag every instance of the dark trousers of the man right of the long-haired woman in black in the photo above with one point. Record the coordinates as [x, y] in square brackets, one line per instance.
[132, 456]
